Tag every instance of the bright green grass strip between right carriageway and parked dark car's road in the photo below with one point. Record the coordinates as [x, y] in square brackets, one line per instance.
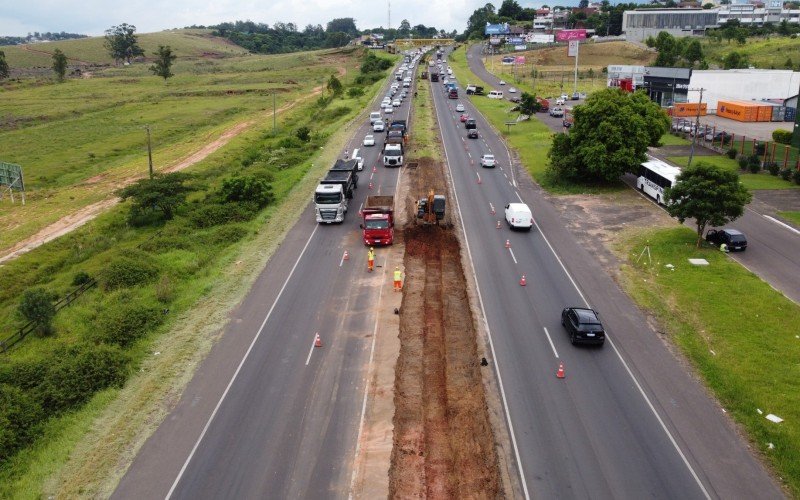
[749, 326]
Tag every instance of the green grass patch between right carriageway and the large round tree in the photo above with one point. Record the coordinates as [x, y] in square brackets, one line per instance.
[531, 138]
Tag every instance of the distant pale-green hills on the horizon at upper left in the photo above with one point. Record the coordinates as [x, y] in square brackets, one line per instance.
[185, 43]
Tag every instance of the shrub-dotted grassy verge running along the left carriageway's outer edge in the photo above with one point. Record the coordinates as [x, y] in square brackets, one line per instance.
[206, 269]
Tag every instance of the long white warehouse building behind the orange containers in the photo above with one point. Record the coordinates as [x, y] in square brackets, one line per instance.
[743, 85]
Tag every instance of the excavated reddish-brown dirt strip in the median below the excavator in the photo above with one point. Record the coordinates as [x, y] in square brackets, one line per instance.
[443, 440]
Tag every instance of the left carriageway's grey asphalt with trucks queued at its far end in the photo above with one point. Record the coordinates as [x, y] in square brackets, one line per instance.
[267, 415]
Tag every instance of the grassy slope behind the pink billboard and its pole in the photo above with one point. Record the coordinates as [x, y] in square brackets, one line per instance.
[555, 70]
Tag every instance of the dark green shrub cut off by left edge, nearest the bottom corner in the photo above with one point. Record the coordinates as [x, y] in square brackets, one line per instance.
[19, 414]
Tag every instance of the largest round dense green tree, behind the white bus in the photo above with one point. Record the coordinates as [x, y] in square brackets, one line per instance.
[610, 135]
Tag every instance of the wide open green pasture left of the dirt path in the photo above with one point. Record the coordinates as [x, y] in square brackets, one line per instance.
[76, 141]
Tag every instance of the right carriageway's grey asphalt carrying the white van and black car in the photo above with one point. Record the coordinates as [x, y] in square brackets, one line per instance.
[628, 421]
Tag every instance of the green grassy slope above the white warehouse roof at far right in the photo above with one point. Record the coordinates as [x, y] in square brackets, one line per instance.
[761, 53]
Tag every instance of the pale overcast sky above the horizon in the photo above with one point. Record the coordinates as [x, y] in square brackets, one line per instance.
[93, 17]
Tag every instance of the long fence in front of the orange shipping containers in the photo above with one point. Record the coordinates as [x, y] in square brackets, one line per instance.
[721, 141]
